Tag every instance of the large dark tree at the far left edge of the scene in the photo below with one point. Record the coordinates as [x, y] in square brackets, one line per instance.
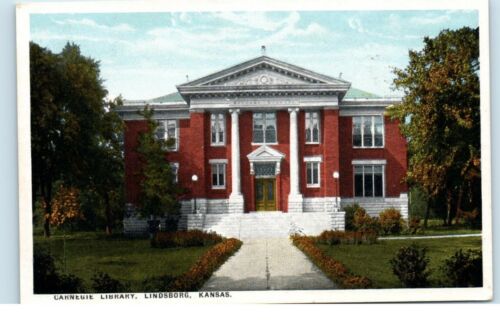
[73, 135]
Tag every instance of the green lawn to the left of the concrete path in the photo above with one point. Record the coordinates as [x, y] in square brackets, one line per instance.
[127, 260]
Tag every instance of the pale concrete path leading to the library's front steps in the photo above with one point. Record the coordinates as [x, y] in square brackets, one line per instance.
[268, 264]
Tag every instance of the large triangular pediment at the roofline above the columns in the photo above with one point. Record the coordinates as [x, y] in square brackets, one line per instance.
[265, 71]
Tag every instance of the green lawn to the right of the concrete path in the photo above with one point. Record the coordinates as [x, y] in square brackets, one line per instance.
[372, 261]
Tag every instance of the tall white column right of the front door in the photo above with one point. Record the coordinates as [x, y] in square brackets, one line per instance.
[295, 200]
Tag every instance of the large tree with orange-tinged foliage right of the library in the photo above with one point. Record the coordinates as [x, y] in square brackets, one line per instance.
[440, 118]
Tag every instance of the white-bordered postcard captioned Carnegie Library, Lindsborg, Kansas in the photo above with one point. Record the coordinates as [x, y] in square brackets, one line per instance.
[216, 151]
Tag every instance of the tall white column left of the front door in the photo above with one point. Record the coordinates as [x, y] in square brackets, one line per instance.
[236, 198]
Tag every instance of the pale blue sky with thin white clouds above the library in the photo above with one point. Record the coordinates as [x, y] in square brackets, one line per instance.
[145, 55]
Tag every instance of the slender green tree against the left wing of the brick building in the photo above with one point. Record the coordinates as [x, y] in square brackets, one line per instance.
[159, 190]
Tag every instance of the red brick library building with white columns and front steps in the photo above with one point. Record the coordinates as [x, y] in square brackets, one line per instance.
[306, 145]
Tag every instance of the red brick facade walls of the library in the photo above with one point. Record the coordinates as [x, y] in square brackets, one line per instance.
[335, 148]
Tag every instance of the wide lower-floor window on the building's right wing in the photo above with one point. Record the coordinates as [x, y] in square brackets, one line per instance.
[368, 181]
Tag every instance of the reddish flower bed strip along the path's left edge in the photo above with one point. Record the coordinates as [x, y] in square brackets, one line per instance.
[194, 278]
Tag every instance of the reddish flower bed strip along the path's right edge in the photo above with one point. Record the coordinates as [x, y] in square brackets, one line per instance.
[335, 270]
